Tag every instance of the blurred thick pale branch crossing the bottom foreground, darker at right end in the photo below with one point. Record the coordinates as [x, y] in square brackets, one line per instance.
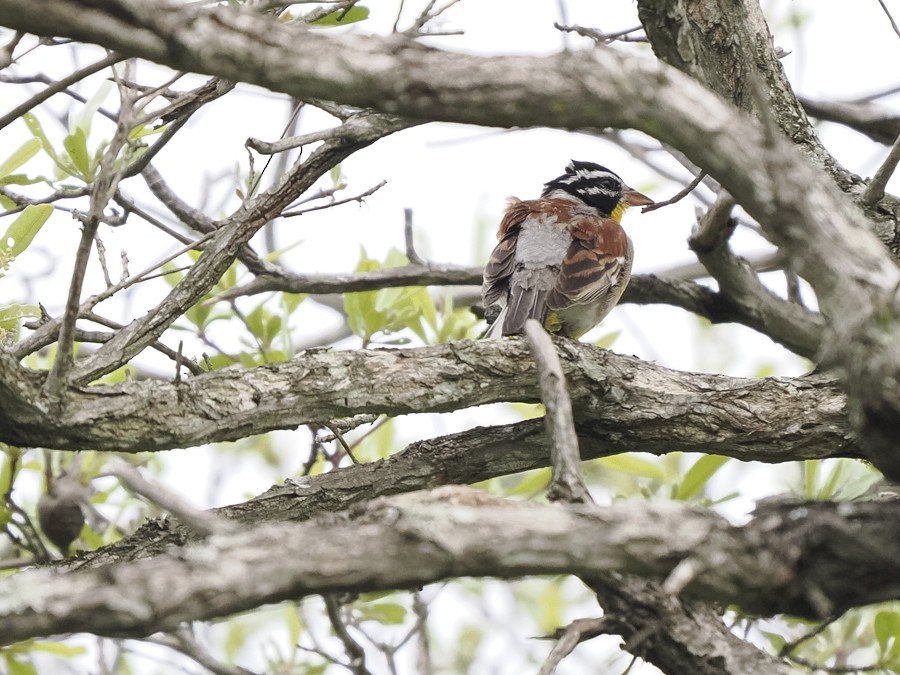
[809, 559]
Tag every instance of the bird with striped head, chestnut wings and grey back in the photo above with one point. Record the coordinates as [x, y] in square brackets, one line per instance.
[562, 259]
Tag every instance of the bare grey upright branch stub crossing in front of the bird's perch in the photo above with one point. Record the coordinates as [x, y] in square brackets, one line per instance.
[567, 483]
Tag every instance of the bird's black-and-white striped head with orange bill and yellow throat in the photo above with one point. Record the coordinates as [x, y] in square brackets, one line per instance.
[597, 187]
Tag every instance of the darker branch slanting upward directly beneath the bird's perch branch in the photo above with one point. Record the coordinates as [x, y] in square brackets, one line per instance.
[744, 431]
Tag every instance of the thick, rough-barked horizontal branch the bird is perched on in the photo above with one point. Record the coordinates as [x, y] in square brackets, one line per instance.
[609, 391]
